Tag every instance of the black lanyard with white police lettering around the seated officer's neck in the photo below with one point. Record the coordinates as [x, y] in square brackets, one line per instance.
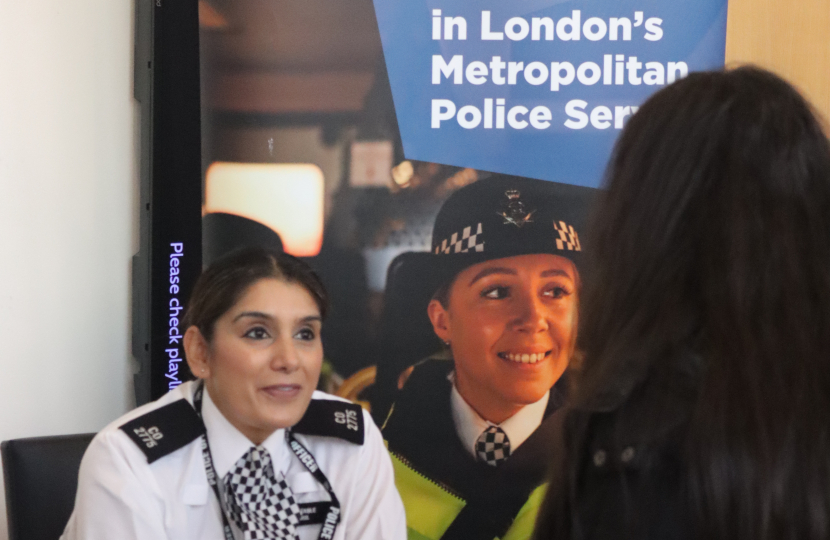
[305, 457]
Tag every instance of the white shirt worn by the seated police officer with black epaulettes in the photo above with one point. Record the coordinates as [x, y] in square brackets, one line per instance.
[122, 496]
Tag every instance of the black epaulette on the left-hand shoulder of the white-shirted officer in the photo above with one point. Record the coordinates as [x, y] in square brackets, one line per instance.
[164, 430]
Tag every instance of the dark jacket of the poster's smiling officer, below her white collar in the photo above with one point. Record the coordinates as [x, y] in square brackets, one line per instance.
[421, 431]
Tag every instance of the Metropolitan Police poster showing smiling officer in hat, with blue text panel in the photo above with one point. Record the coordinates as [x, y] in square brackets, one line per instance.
[454, 281]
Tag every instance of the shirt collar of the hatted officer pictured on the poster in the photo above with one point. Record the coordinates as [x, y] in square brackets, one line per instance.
[469, 425]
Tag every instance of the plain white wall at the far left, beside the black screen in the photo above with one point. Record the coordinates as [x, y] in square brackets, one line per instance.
[68, 216]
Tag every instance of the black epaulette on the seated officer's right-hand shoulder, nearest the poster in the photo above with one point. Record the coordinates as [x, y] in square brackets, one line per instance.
[332, 418]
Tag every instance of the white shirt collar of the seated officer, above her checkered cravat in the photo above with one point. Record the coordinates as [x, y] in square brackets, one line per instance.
[228, 444]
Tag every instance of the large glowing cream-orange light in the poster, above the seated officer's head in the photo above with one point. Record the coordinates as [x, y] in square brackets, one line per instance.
[288, 198]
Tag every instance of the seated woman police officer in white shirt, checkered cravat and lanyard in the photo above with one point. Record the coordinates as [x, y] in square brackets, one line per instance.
[250, 449]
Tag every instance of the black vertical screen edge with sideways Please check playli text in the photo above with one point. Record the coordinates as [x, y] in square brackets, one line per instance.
[167, 87]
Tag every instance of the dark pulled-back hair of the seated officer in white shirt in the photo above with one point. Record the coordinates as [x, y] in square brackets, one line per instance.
[225, 281]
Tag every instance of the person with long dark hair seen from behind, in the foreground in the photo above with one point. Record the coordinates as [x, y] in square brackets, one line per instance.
[703, 404]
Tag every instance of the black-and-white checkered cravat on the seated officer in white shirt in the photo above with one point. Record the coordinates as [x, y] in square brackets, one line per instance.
[261, 504]
